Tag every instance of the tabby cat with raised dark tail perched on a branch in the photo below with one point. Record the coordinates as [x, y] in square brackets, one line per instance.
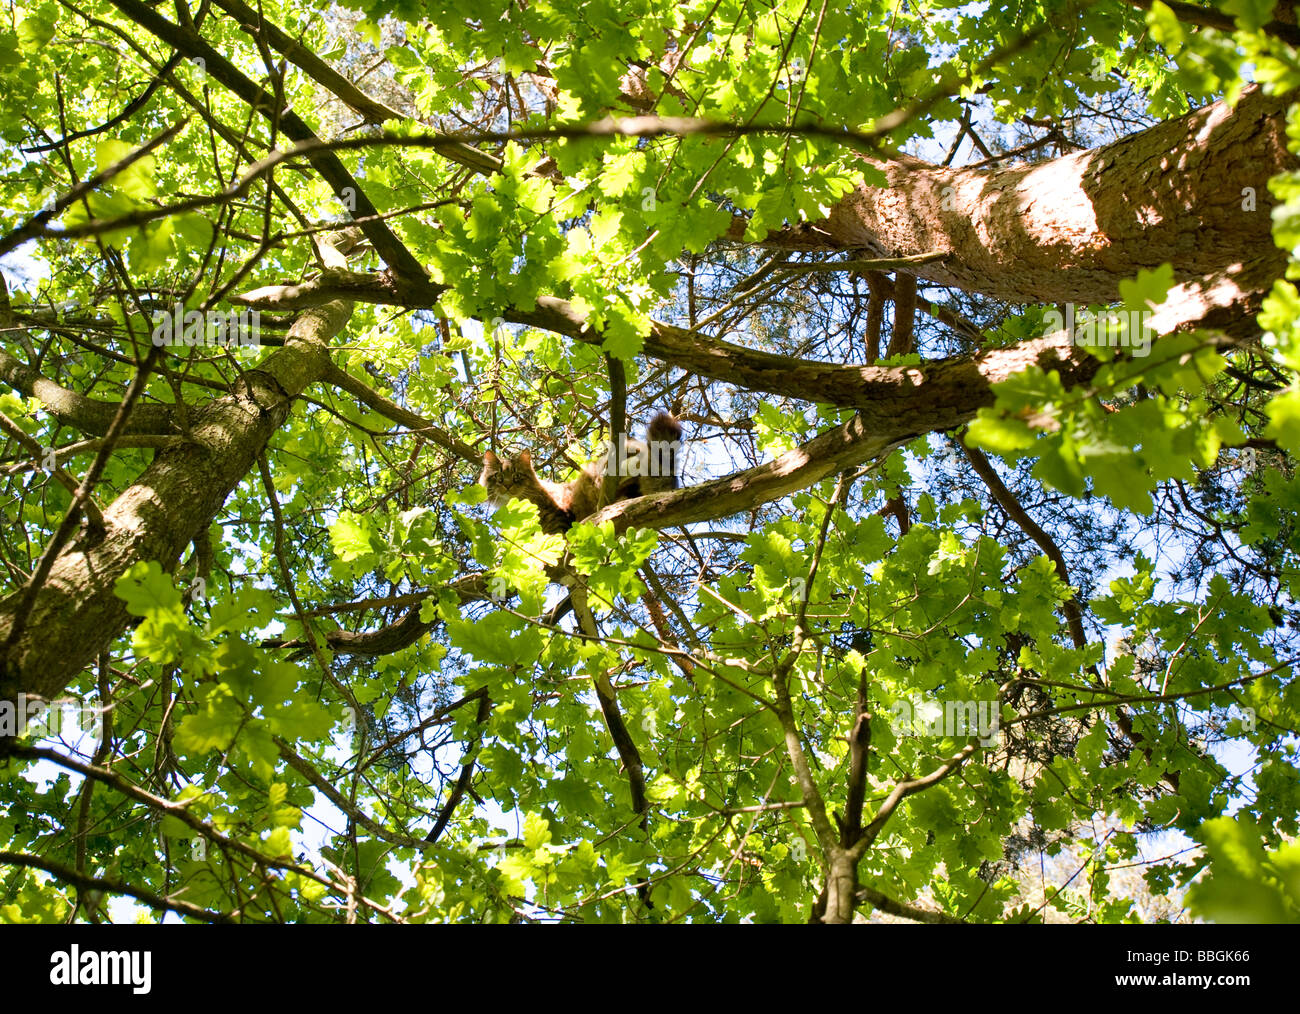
[643, 469]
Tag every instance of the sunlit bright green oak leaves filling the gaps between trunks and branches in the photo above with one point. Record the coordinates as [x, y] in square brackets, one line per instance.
[812, 601]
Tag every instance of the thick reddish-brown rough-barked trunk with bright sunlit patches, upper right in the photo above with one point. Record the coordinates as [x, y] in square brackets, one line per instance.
[1072, 228]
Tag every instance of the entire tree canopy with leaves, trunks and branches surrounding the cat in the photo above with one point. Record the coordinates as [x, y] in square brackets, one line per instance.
[981, 332]
